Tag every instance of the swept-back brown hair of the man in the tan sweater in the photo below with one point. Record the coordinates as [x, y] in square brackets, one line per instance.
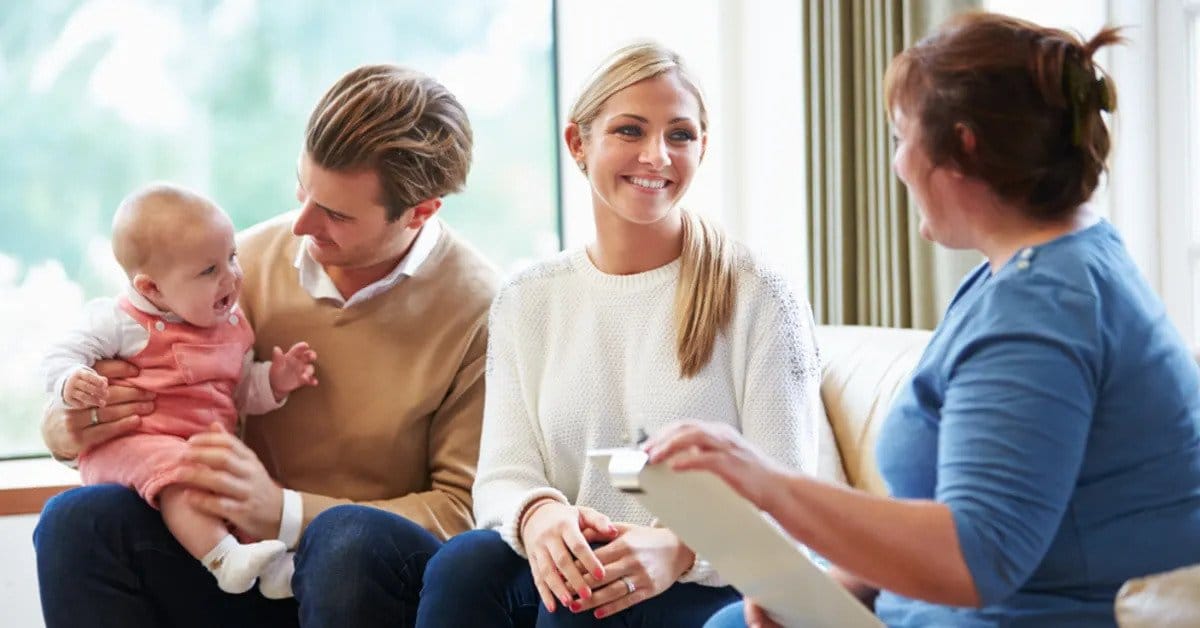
[405, 125]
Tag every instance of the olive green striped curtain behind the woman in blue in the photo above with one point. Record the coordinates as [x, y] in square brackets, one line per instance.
[867, 264]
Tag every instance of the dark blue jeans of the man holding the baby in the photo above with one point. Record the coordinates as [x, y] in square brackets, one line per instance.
[106, 559]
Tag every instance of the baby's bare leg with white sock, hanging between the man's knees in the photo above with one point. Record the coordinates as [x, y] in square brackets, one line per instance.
[236, 566]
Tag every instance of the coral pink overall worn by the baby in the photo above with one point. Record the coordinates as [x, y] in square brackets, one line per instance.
[195, 373]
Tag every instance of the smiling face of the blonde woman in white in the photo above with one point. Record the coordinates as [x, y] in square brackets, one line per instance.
[644, 149]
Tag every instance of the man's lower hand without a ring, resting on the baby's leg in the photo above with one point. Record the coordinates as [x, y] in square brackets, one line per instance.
[233, 485]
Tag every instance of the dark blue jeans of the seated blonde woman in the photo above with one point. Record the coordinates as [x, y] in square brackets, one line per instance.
[477, 581]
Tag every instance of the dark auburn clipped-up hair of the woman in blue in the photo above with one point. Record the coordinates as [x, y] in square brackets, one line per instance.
[1033, 98]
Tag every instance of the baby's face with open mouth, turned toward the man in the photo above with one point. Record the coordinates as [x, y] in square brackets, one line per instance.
[203, 280]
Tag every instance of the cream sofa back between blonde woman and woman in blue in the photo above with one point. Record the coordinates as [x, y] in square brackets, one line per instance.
[863, 370]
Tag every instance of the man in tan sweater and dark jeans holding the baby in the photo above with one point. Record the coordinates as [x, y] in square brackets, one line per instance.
[379, 459]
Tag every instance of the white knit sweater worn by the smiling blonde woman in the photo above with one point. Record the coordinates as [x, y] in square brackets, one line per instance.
[579, 360]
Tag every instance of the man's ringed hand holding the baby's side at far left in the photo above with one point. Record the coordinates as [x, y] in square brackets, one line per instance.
[68, 433]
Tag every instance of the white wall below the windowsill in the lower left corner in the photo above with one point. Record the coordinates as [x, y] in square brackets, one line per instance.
[20, 605]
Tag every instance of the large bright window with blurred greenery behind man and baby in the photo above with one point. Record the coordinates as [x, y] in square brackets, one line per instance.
[101, 97]
